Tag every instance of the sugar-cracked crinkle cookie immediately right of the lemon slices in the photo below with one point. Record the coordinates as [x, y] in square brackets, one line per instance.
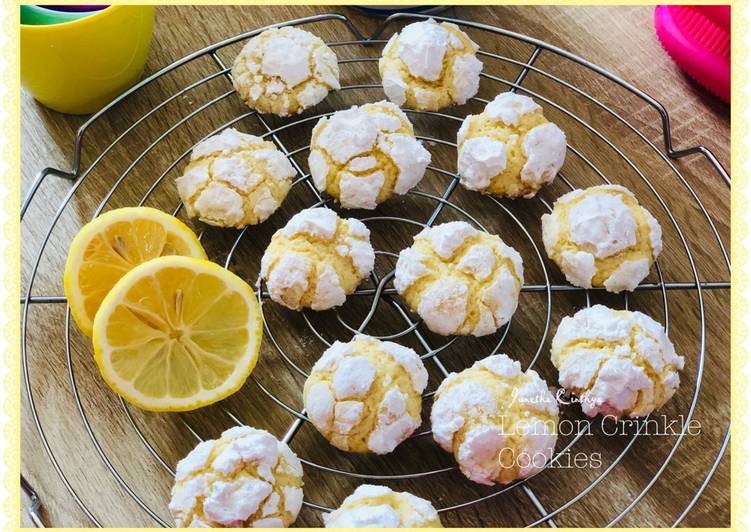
[317, 259]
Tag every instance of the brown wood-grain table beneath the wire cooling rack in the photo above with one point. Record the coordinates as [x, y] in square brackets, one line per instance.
[620, 39]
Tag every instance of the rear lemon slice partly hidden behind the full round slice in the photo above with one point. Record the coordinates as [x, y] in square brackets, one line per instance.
[110, 246]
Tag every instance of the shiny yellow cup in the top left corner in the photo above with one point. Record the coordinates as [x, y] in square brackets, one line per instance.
[77, 67]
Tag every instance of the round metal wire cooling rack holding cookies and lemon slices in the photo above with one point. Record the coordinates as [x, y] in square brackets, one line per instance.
[544, 62]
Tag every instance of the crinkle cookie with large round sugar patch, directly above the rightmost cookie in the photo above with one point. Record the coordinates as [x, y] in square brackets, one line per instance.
[601, 236]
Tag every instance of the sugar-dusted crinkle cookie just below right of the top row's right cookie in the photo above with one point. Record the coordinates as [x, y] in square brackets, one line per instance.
[510, 149]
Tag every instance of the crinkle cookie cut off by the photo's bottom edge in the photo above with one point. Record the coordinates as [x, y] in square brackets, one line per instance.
[380, 507]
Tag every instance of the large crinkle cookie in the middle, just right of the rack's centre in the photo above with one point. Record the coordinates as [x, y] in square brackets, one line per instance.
[460, 280]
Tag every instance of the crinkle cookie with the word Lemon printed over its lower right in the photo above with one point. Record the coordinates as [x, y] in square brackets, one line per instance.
[498, 421]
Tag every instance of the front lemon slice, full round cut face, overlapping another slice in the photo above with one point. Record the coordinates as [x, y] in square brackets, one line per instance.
[177, 333]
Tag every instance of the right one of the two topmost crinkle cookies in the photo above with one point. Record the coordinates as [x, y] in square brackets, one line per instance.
[428, 66]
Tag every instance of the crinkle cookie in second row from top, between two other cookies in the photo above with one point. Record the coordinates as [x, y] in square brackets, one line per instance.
[365, 155]
